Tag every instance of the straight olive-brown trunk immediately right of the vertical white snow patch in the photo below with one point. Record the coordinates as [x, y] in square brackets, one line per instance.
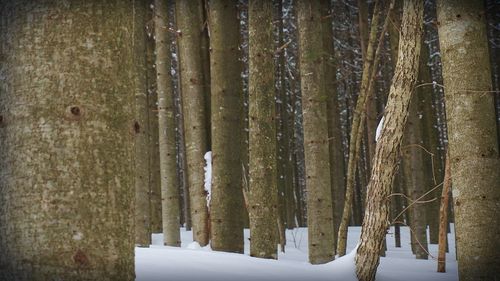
[226, 218]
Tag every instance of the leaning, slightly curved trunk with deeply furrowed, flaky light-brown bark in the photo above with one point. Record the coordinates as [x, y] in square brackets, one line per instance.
[387, 152]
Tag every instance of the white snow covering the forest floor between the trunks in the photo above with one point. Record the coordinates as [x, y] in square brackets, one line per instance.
[192, 263]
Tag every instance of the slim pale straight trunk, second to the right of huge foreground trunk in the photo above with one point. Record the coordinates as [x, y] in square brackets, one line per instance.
[166, 114]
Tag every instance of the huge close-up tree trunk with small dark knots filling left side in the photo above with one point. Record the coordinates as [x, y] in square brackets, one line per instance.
[68, 79]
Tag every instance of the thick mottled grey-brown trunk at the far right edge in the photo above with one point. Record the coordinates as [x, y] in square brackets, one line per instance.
[472, 137]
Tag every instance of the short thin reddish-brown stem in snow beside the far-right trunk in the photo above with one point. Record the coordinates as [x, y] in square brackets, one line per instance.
[443, 218]
